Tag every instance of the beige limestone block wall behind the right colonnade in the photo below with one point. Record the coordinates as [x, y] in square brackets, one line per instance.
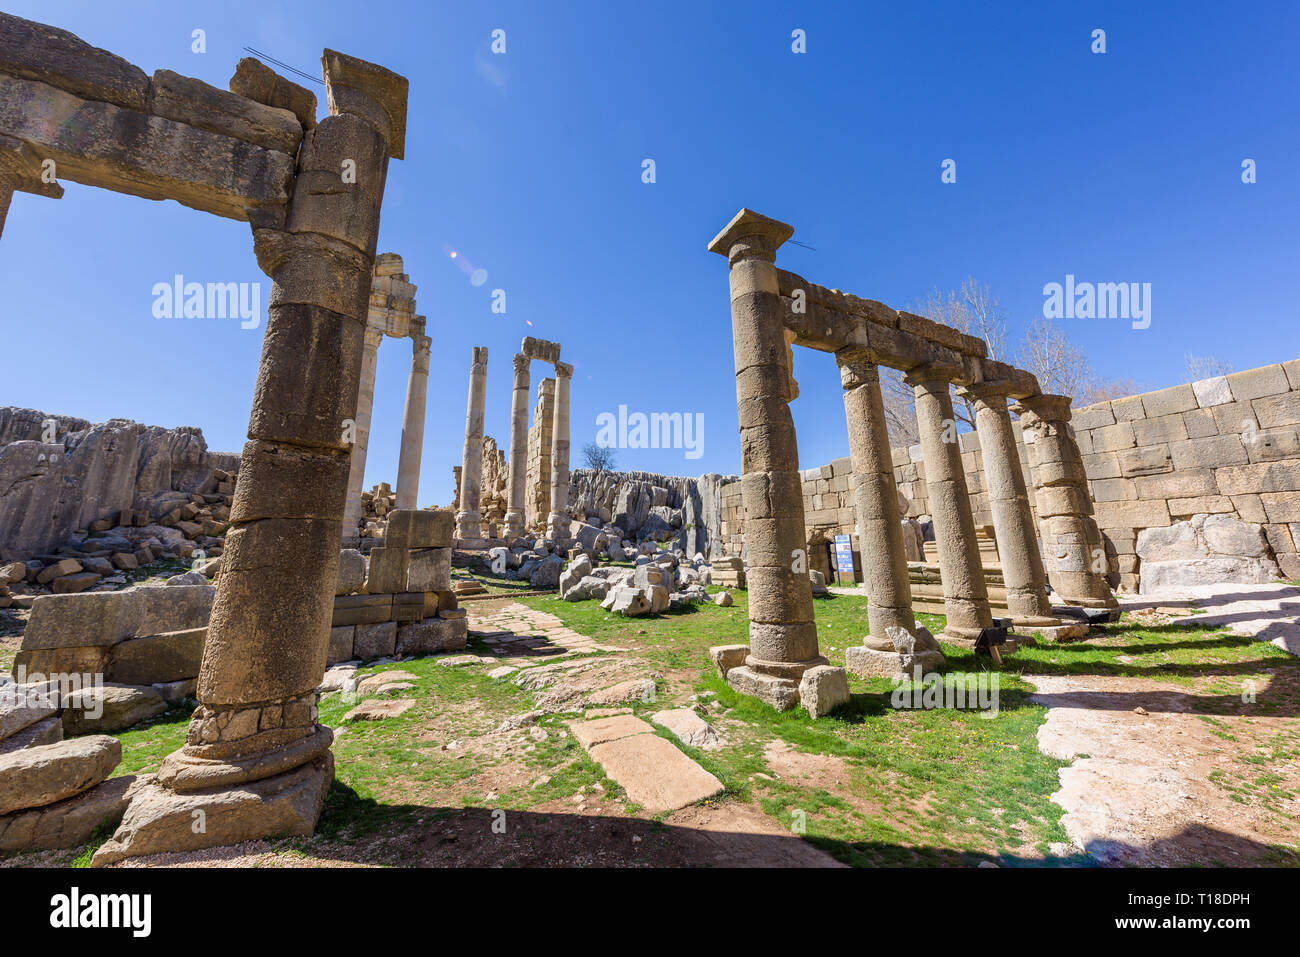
[1227, 448]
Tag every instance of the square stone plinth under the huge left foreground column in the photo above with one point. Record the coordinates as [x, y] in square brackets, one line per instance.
[162, 821]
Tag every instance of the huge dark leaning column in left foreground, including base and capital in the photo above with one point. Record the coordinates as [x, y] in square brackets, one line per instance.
[257, 761]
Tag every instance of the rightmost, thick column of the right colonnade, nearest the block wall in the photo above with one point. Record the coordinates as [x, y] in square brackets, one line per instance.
[1076, 557]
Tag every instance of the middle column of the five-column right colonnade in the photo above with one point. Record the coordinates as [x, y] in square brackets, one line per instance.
[965, 592]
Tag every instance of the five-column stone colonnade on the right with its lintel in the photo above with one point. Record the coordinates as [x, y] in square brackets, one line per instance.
[774, 310]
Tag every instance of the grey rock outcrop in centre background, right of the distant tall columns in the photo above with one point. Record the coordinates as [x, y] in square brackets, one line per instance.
[653, 508]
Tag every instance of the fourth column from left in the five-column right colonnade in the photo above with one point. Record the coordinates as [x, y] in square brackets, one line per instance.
[1009, 501]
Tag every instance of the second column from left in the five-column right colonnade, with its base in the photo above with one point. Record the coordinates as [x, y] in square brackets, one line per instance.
[885, 564]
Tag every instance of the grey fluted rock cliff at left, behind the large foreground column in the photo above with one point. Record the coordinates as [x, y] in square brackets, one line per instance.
[59, 475]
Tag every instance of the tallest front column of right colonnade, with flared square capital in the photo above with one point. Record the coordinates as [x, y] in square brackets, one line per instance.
[782, 630]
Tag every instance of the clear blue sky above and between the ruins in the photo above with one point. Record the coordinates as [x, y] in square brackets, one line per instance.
[1116, 167]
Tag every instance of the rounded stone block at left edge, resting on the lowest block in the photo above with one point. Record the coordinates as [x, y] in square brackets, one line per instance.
[36, 777]
